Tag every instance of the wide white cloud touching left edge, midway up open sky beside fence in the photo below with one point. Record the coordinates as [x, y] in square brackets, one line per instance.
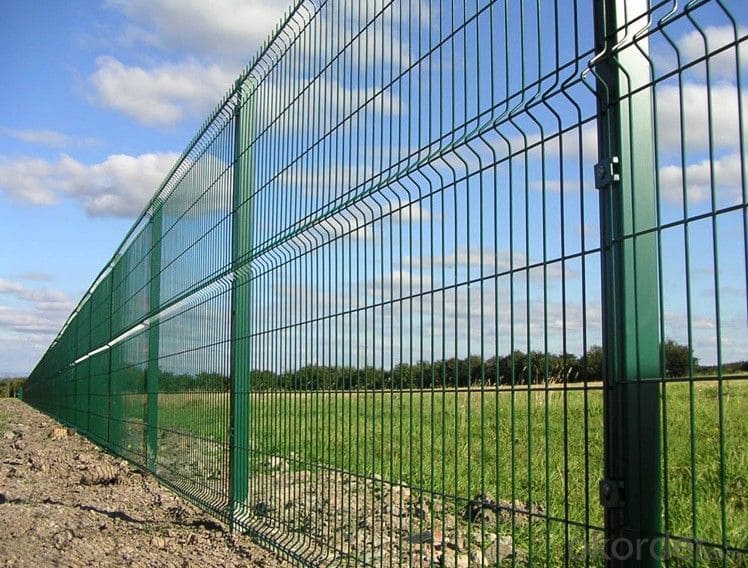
[121, 185]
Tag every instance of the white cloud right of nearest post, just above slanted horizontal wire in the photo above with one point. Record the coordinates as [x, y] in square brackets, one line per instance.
[726, 173]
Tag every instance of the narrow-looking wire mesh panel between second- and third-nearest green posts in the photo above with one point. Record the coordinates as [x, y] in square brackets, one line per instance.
[192, 333]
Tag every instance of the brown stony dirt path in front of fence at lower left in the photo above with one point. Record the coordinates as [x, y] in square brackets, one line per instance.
[65, 502]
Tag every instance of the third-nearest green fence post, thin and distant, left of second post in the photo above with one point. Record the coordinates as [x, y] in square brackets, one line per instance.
[153, 338]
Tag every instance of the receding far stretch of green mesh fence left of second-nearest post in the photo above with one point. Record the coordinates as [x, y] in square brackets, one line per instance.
[142, 365]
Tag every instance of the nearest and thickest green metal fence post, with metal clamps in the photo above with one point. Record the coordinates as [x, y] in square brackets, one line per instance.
[625, 175]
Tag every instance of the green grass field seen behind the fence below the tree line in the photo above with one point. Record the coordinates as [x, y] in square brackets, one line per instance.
[540, 446]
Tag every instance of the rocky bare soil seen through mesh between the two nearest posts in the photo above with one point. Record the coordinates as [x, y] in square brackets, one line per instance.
[337, 519]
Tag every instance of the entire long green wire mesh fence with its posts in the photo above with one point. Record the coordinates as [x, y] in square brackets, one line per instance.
[446, 283]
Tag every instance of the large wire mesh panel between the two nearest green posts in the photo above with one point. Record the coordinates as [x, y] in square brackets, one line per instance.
[425, 285]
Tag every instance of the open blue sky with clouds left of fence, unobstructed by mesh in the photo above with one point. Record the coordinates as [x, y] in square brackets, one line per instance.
[98, 99]
